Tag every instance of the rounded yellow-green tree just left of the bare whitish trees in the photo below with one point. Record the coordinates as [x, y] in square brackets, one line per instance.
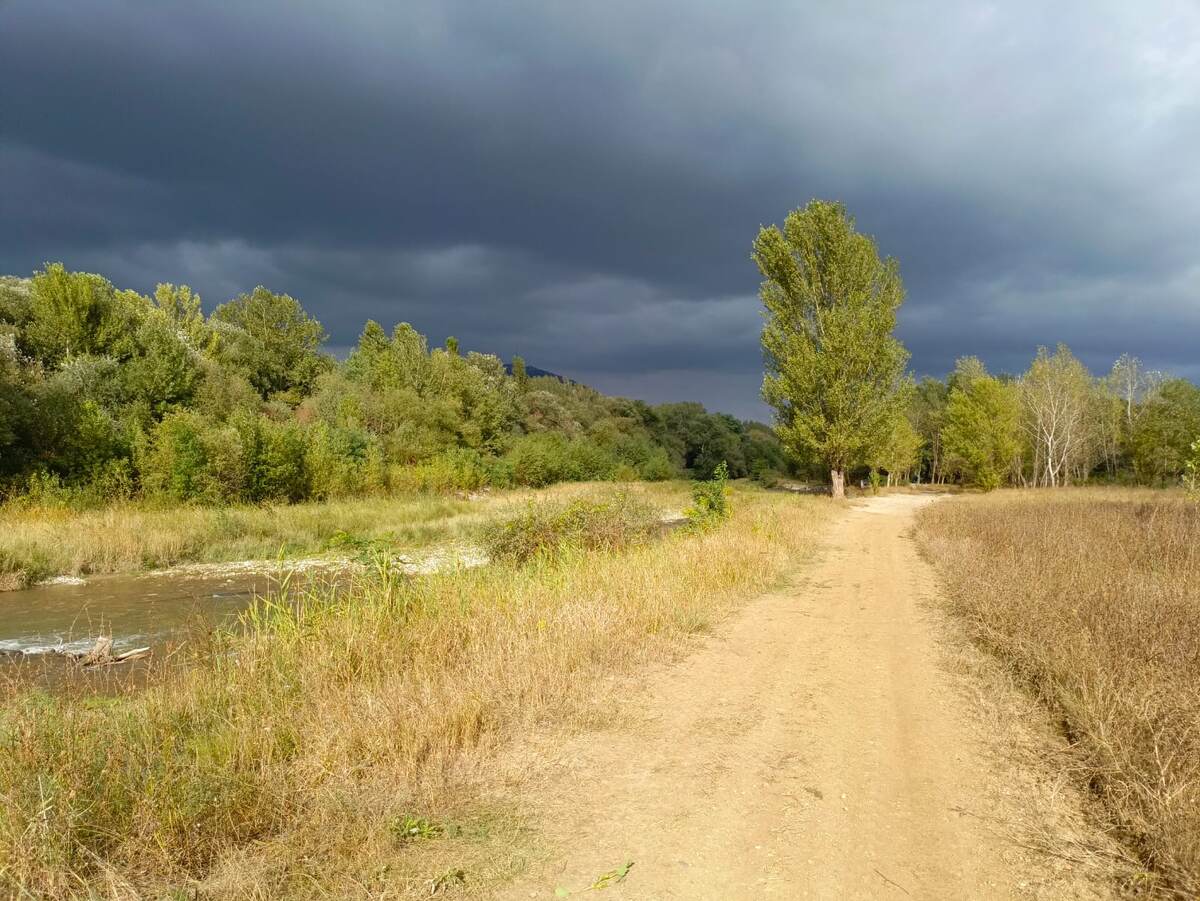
[982, 425]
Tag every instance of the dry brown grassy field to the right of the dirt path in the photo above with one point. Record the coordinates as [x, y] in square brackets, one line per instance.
[1093, 597]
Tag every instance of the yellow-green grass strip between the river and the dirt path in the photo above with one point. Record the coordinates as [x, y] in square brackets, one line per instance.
[345, 748]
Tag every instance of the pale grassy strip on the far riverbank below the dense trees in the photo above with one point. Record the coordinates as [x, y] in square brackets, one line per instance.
[41, 543]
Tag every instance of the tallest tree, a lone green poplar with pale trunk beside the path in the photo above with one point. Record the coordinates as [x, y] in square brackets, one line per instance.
[835, 370]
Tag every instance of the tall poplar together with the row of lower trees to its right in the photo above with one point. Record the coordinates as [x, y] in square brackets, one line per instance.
[836, 376]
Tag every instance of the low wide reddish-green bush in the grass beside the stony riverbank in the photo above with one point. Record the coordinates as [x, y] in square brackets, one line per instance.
[547, 528]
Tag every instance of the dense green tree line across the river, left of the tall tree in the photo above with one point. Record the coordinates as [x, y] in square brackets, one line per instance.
[106, 393]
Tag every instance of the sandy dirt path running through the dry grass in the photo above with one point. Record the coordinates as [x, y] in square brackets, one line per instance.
[815, 748]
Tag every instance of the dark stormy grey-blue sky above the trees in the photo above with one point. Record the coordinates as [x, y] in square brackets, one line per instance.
[580, 183]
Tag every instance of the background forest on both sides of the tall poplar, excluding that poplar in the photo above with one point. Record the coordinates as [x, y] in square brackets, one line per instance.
[106, 394]
